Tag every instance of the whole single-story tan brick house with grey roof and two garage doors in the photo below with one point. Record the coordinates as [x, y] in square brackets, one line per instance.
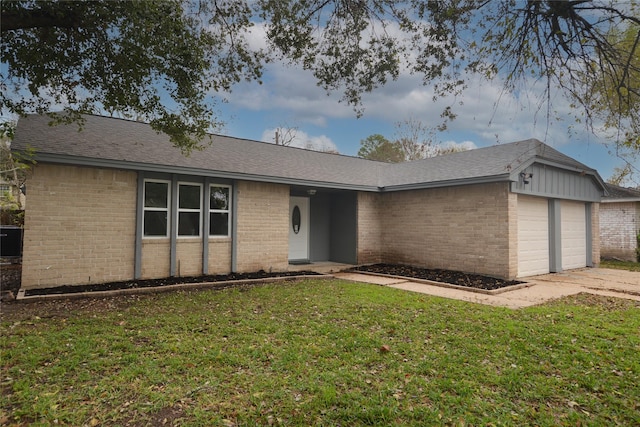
[116, 201]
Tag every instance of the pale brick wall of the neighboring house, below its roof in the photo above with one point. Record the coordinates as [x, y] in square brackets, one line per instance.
[619, 225]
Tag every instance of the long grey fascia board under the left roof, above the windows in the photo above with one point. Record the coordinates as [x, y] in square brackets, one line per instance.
[145, 167]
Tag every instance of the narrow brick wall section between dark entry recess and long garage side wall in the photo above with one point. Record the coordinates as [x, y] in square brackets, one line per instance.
[369, 228]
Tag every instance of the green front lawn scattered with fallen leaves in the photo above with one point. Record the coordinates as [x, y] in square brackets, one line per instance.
[322, 352]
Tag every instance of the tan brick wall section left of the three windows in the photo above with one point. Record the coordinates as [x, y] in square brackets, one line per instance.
[79, 226]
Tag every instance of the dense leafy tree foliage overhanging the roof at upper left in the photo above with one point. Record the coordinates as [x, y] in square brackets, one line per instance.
[157, 61]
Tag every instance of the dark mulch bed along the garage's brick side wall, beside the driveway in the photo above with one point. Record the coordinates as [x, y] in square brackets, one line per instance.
[476, 281]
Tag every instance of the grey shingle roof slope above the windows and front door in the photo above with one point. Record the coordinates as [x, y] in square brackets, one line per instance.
[131, 142]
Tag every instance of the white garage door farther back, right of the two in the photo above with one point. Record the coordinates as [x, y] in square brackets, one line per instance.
[573, 235]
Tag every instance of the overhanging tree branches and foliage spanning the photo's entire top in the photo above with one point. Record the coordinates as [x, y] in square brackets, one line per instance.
[125, 55]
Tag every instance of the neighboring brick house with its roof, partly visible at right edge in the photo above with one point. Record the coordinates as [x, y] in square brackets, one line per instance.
[620, 223]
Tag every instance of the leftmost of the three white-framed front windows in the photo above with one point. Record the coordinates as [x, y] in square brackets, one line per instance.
[156, 209]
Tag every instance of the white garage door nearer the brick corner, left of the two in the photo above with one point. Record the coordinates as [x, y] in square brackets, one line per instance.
[533, 236]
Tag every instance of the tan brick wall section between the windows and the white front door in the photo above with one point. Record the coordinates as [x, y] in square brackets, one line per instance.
[263, 227]
